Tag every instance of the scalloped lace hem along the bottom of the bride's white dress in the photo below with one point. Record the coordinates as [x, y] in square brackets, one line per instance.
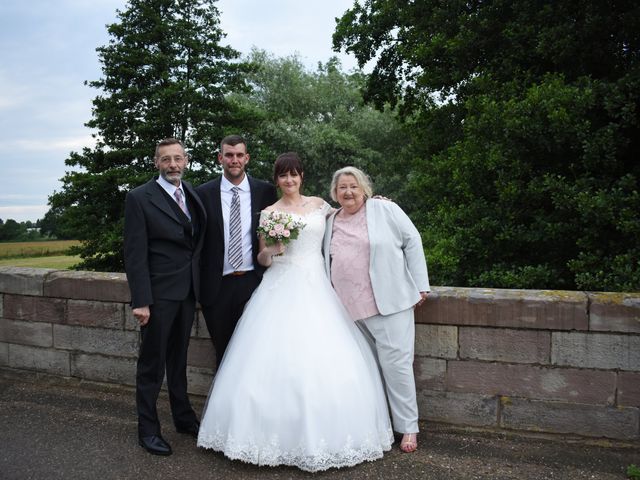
[303, 456]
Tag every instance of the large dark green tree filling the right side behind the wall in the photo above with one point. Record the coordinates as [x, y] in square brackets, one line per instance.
[526, 134]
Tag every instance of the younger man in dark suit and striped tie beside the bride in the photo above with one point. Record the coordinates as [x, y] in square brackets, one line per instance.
[229, 265]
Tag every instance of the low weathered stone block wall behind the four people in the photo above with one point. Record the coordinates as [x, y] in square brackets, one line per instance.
[523, 360]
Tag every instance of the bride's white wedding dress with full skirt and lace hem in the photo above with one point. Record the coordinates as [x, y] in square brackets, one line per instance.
[298, 384]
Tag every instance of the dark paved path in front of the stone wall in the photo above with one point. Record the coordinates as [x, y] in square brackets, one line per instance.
[53, 428]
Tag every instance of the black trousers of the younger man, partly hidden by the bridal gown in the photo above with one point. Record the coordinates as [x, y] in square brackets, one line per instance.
[222, 316]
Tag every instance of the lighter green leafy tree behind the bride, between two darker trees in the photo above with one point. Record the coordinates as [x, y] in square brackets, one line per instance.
[321, 115]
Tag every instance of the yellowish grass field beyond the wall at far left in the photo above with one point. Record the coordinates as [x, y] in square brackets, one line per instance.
[50, 254]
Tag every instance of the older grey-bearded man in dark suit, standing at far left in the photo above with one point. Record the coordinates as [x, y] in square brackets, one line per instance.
[163, 234]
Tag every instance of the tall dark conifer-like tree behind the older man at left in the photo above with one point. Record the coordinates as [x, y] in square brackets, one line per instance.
[165, 75]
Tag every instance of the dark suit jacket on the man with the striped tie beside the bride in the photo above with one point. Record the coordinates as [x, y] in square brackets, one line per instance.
[263, 194]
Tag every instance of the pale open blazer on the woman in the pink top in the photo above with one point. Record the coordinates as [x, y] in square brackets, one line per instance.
[397, 267]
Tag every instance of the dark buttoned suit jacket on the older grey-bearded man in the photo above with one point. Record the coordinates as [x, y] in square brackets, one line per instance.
[161, 255]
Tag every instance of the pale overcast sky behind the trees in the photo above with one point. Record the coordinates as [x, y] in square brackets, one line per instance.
[48, 51]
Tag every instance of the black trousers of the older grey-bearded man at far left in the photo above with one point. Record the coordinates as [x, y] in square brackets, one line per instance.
[164, 344]
